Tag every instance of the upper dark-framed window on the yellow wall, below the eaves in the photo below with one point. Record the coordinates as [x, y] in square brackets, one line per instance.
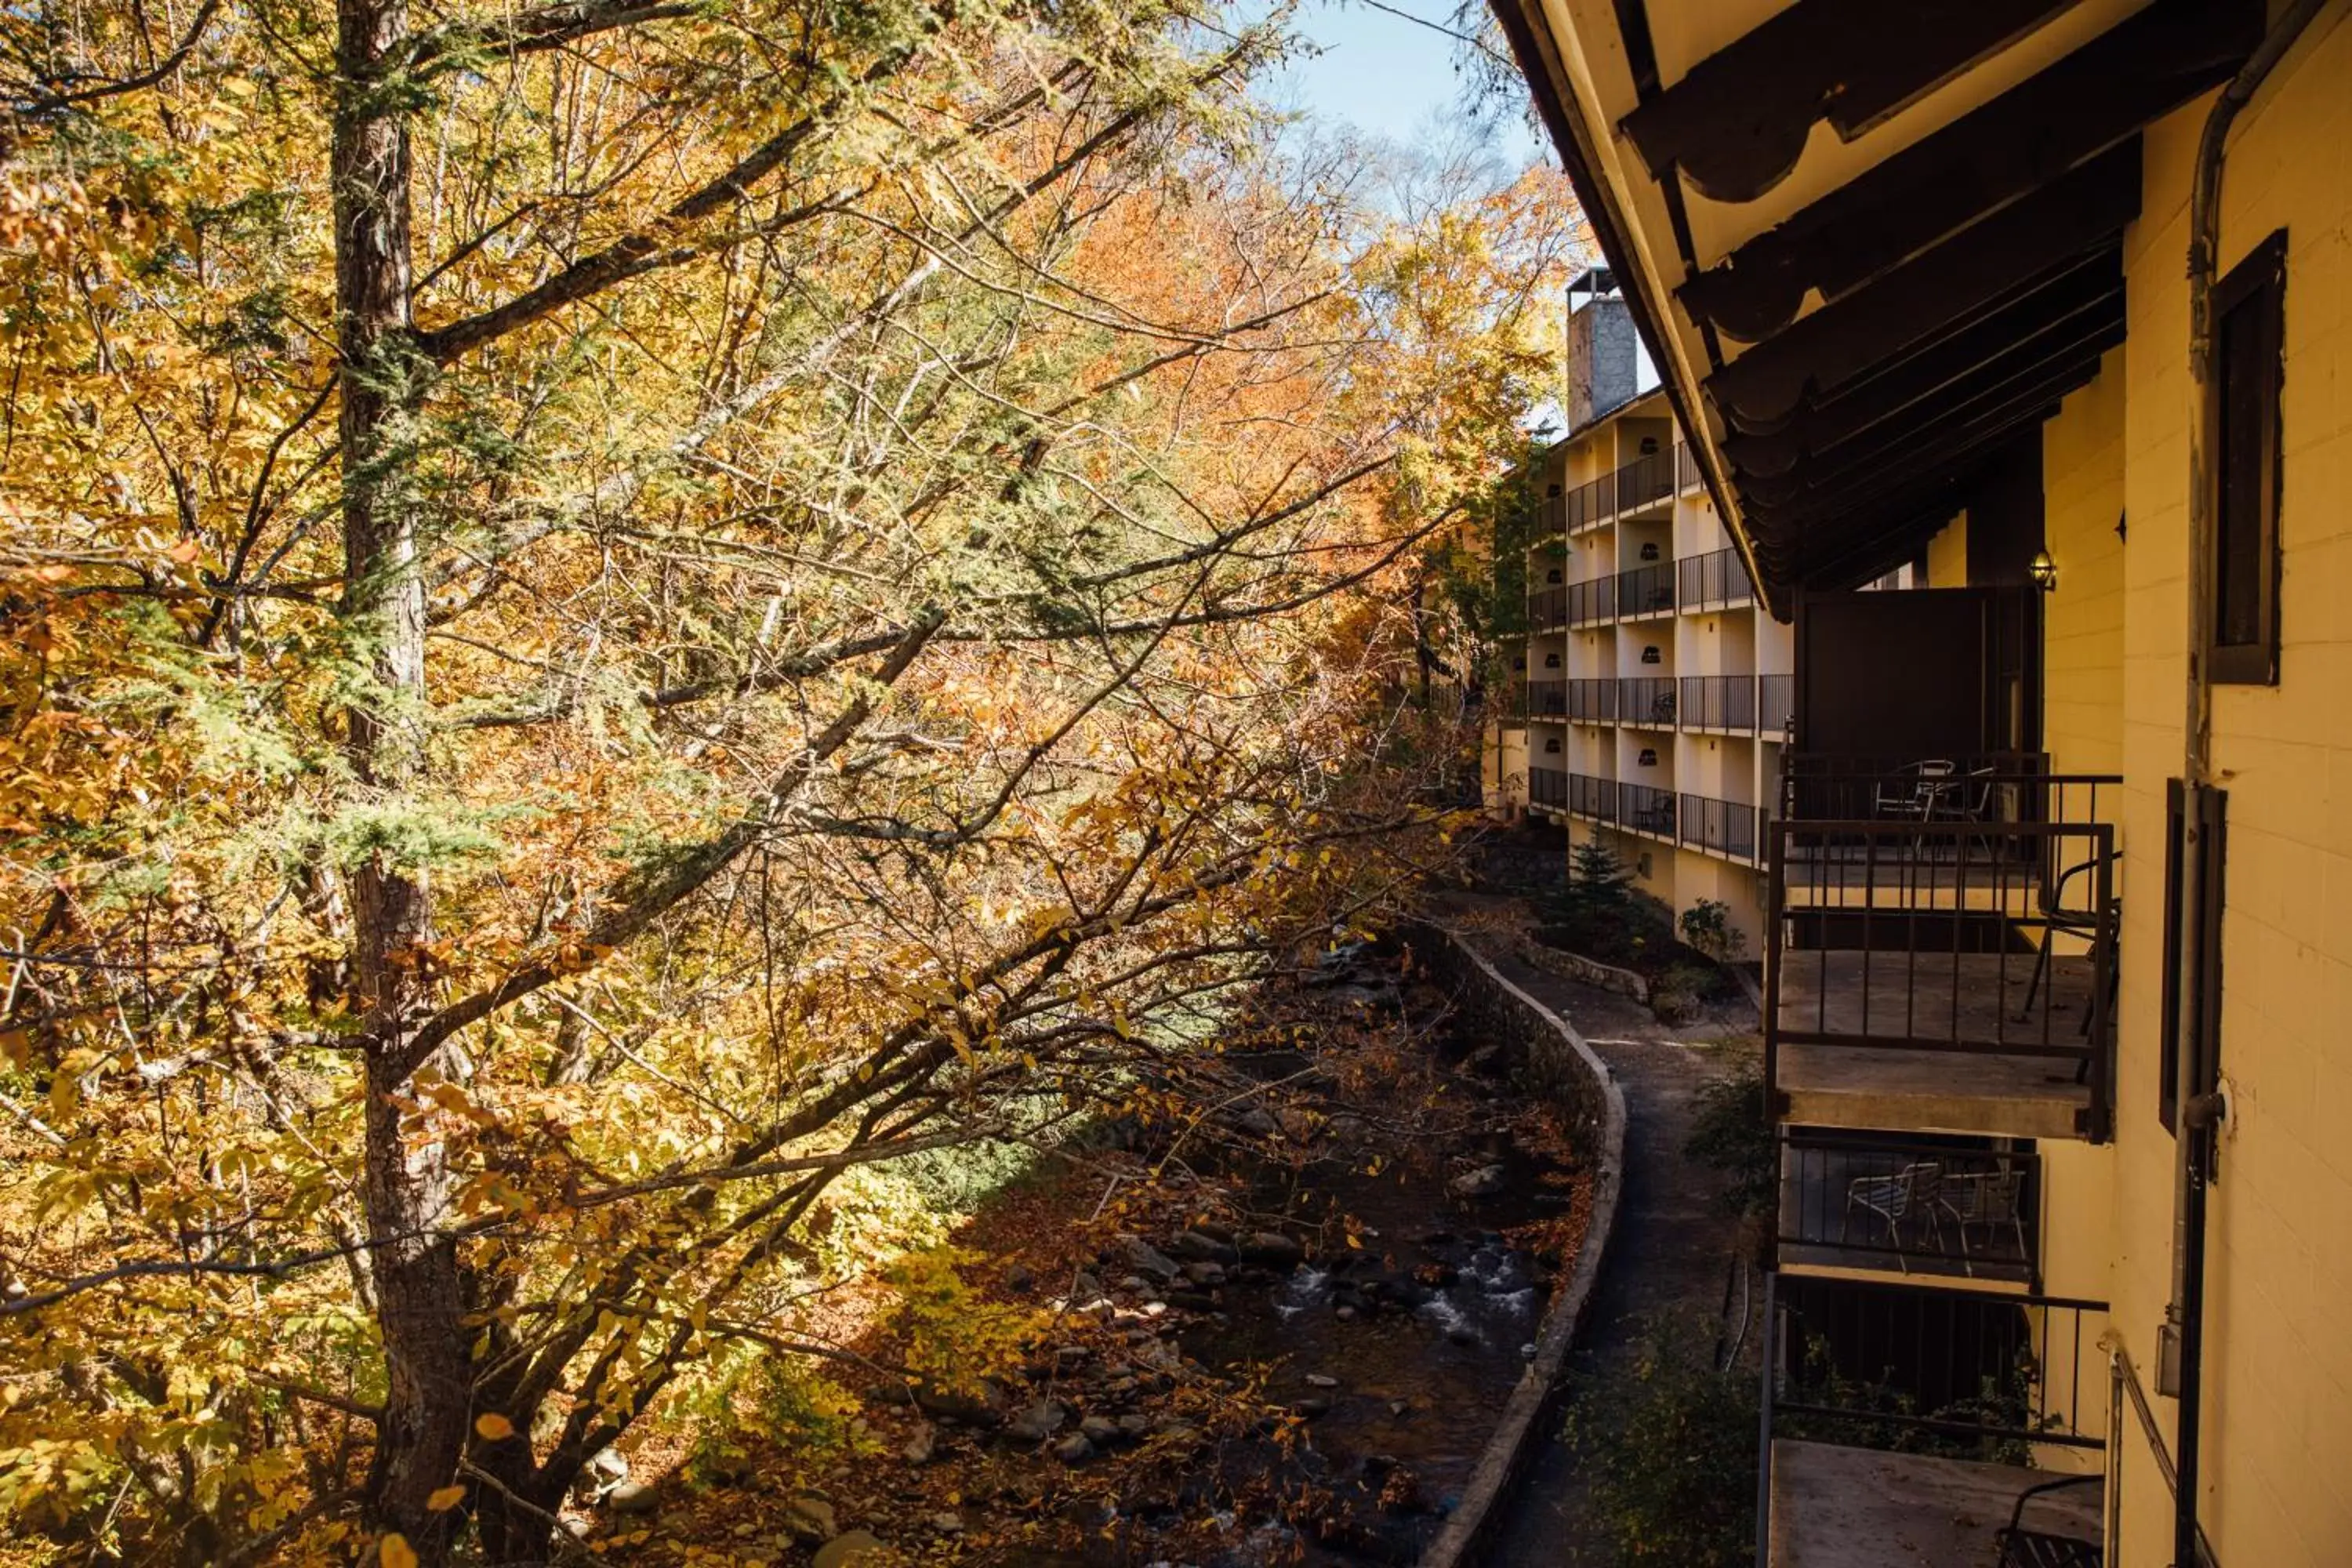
[2250, 368]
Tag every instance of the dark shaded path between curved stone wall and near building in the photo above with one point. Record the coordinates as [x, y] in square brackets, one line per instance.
[1671, 1252]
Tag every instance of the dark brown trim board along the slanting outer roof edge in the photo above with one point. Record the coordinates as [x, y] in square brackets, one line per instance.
[1546, 79]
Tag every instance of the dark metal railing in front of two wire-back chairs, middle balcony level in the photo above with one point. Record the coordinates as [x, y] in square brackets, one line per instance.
[1949, 1207]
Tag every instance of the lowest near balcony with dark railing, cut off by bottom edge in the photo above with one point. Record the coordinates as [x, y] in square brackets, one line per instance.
[1932, 1426]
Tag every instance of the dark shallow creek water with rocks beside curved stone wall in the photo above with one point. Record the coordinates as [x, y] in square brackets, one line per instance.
[1401, 1351]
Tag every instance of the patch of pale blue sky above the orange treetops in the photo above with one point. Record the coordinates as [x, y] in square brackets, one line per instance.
[1384, 74]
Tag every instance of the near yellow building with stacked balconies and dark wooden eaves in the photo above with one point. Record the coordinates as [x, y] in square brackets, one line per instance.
[2050, 304]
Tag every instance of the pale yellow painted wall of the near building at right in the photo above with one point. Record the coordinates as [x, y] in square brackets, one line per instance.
[2278, 1487]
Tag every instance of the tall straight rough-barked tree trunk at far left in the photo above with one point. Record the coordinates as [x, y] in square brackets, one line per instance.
[406, 1174]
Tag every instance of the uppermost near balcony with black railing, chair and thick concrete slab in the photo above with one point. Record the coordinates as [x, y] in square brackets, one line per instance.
[1942, 946]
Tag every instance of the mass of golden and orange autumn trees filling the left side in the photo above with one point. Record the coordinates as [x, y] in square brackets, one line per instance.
[620, 617]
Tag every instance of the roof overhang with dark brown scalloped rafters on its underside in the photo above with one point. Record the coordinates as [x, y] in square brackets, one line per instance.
[1850, 323]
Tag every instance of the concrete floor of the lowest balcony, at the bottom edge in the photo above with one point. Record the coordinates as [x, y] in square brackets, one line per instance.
[1859, 1508]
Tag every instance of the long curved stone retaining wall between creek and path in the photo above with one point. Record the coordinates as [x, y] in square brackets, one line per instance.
[1546, 1057]
